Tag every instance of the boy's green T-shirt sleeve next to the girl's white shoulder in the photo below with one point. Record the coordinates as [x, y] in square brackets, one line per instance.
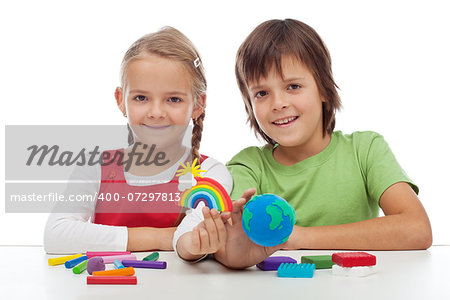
[244, 169]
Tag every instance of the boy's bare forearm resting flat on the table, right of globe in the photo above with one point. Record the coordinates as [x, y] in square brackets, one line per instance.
[394, 232]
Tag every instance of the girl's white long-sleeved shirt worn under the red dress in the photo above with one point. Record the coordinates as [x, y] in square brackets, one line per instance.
[75, 233]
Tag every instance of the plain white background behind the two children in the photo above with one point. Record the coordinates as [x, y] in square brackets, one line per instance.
[60, 64]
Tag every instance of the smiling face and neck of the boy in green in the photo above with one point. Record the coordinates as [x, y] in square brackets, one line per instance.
[288, 108]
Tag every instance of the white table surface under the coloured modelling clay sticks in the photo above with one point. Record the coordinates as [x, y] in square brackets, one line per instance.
[25, 274]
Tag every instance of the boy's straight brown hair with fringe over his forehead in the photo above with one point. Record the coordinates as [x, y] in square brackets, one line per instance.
[265, 47]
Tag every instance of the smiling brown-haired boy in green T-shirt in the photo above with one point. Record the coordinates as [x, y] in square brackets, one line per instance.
[336, 182]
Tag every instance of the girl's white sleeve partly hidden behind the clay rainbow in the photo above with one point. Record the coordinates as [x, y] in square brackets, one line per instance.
[214, 170]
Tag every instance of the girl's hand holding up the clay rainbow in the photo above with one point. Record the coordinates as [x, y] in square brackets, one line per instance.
[207, 237]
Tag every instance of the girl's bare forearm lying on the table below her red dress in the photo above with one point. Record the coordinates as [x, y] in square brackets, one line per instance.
[149, 238]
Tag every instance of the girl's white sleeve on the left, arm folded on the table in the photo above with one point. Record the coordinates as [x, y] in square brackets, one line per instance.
[70, 230]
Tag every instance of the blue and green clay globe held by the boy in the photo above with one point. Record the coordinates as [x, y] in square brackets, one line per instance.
[268, 220]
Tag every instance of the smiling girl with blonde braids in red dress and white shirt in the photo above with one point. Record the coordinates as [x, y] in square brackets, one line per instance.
[162, 87]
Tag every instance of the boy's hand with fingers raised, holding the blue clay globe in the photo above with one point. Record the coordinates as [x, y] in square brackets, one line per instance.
[239, 251]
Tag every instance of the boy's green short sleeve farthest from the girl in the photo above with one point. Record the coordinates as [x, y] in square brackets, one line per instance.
[382, 169]
